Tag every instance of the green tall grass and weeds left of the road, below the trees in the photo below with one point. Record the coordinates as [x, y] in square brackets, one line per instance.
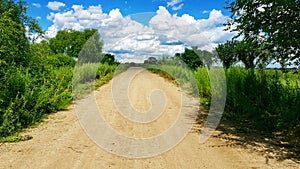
[27, 96]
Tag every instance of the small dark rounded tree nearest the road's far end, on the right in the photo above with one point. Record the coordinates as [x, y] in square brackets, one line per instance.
[190, 58]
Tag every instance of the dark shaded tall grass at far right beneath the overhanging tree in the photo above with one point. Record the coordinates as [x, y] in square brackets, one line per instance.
[263, 97]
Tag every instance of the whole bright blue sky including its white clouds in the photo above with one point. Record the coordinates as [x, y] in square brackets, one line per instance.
[134, 29]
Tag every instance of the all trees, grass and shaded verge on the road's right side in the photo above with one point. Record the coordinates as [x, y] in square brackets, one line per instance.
[262, 104]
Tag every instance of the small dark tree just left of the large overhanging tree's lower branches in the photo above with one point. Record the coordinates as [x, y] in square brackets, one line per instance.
[226, 53]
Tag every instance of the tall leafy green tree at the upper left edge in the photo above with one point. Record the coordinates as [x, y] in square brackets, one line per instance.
[14, 44]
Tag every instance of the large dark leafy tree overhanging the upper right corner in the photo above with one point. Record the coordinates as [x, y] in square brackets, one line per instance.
[273, 22]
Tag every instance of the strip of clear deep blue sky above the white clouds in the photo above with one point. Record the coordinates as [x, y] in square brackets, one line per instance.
[197, 8]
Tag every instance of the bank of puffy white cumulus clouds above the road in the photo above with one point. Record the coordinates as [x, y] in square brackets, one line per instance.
[129, 40]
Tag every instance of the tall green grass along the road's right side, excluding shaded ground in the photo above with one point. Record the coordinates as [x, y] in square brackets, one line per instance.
[266, 99]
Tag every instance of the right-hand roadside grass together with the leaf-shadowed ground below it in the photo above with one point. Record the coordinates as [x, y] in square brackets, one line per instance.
[262, 106]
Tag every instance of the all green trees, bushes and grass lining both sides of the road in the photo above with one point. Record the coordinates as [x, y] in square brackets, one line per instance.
[39, 78]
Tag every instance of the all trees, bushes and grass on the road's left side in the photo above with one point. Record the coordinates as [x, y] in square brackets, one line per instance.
[36, 78]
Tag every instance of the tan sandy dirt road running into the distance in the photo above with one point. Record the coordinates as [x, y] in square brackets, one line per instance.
[60, 141]
